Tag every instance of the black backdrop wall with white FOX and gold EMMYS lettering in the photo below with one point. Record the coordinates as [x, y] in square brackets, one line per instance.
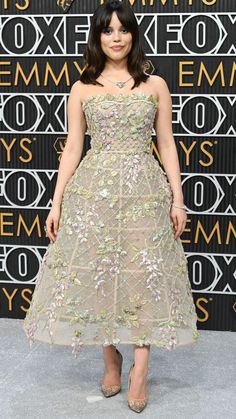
[192, 45]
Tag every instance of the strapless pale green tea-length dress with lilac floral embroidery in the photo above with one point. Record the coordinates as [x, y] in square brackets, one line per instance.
[115, 273]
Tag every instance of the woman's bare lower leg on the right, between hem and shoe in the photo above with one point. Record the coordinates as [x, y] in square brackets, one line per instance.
[139, 372]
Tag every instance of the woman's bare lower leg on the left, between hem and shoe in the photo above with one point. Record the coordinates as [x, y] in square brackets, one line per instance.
[111, 363]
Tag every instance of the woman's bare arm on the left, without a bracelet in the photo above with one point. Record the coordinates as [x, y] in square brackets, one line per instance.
[70, 157]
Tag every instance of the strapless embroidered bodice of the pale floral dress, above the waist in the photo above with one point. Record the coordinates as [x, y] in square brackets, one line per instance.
[120, 122]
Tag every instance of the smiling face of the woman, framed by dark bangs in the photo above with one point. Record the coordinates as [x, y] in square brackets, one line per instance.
[116, 41]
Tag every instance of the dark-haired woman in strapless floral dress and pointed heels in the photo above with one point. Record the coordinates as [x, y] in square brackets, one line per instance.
[115, 270]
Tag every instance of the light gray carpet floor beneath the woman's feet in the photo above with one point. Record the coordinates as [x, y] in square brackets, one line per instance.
[189, 382]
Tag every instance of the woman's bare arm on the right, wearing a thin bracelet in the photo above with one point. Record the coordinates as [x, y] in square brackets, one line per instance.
[168, 154]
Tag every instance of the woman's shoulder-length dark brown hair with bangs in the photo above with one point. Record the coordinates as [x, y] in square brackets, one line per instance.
[94, 57]
